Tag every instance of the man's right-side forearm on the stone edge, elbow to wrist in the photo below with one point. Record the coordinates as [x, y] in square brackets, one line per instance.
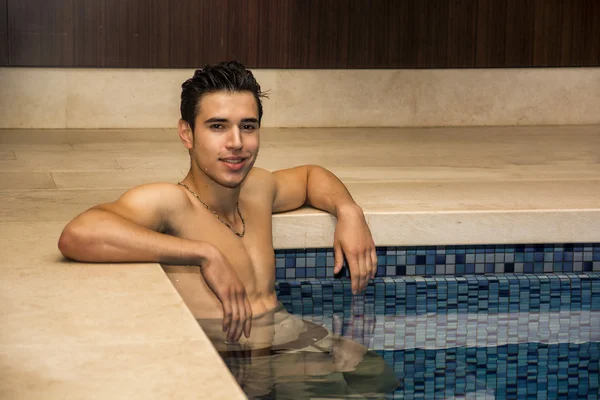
[326, 192]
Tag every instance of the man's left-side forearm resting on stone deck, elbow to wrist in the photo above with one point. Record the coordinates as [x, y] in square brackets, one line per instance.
[102, 236]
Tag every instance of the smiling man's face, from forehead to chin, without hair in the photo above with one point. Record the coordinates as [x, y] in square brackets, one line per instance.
[226, 137]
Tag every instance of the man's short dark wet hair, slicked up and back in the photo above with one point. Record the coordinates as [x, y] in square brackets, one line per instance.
[230, 76]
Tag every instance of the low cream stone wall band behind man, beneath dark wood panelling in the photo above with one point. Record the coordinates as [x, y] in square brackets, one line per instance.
[146, 98]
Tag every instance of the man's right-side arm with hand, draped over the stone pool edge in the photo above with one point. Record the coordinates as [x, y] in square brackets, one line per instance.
[319, 188]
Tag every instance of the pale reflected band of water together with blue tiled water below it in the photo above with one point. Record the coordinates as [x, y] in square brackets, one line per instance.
[484, 356]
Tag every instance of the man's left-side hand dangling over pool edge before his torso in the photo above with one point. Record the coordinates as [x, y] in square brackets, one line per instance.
[225, 284]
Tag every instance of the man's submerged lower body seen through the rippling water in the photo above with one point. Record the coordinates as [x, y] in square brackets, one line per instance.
[288, 358]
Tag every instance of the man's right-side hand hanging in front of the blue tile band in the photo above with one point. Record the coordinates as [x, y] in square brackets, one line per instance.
[353, 239]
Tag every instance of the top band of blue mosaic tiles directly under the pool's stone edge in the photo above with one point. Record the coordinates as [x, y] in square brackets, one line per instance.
[449, 260]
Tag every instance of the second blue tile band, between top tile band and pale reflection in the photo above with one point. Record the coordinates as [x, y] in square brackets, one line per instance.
[418, 295]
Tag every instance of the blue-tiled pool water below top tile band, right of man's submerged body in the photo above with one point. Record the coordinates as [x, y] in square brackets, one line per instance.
[490, 337]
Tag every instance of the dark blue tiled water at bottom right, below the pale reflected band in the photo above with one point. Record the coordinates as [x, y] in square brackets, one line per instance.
[518, 371]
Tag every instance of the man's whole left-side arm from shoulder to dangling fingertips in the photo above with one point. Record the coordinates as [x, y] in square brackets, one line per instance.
[130, 230]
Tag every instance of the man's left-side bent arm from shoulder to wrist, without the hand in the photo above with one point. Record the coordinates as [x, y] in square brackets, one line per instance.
[129, 230]
